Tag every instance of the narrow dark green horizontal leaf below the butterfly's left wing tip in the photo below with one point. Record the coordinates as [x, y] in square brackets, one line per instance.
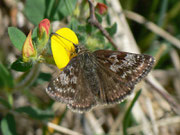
[35, 113]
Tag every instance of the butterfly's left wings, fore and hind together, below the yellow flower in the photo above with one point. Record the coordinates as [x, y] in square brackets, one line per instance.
[69, 87]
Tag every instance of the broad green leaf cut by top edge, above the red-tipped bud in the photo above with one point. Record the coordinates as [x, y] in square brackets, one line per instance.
[35, 10]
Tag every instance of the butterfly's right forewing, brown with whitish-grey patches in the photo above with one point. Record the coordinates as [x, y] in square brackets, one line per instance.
[129, 67]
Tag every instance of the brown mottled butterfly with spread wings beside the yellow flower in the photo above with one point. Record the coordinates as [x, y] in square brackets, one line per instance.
[101, 77]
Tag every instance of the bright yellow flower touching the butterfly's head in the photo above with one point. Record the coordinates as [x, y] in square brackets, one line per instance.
[62, 46]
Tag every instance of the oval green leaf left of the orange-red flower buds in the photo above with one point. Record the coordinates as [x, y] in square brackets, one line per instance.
[17, 37]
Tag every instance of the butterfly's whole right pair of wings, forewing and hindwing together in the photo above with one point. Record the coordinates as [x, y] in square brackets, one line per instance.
[119, 72]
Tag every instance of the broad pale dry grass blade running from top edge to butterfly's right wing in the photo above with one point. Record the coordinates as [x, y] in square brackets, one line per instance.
[124, 36]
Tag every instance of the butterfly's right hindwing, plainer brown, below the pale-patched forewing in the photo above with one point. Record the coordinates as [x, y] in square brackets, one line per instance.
[112, 90]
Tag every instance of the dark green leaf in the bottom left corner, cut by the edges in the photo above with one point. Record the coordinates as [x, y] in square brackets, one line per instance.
[8, 125]
